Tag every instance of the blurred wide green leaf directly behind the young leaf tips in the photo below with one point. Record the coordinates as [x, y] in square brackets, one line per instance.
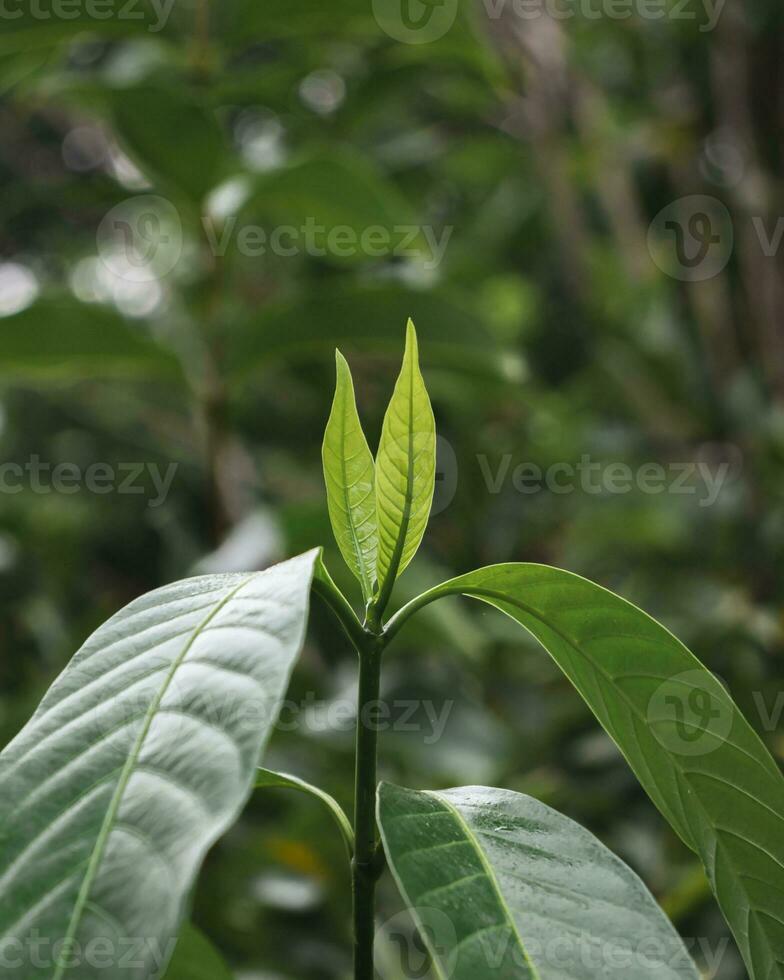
[367, 319]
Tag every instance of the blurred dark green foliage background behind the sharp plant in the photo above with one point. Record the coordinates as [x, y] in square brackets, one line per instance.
[602, 181]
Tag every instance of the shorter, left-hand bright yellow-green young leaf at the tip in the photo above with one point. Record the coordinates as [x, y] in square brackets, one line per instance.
[349, 474]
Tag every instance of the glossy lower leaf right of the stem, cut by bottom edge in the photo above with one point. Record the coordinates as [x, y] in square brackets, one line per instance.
[503, 886]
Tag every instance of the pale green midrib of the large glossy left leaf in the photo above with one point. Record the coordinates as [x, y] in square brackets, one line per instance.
[125, 776]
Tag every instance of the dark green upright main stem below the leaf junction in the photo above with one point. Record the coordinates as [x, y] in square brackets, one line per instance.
[365, 869]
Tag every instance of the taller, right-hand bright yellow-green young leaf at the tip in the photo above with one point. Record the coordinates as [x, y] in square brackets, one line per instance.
[405, 470]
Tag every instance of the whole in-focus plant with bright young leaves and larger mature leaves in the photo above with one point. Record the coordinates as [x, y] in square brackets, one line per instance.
[148, 745]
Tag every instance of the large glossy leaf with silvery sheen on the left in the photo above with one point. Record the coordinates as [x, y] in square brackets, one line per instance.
[139, 757]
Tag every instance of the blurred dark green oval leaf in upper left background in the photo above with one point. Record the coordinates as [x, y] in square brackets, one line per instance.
[173, 137]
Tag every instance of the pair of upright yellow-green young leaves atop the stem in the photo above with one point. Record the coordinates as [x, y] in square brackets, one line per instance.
[379, 509]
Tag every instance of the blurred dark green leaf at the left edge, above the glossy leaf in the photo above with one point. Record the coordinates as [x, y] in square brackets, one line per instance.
[61, 338]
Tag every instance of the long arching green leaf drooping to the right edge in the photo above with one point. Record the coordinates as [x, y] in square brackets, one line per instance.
[688, 743]
